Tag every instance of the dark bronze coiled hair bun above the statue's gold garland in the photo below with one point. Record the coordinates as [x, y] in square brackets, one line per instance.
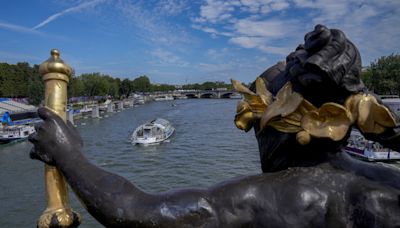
[326, 67]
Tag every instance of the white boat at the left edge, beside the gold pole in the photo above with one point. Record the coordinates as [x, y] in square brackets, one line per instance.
[15, 133]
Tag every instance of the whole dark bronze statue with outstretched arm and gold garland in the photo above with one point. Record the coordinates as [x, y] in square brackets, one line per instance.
[302, 113]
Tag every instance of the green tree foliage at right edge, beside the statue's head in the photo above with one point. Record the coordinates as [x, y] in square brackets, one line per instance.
[383, 76]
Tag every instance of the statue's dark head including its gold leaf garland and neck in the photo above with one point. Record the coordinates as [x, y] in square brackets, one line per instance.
[303, 109]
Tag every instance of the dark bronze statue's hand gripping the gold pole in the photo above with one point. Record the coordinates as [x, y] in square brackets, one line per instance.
[53, 138]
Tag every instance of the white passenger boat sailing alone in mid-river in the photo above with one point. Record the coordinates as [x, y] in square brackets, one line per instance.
[153, 132]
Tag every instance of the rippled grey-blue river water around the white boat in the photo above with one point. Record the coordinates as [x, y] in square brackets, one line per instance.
[205, 149]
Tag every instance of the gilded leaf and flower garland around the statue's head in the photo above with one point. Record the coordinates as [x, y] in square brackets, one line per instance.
[289, 112]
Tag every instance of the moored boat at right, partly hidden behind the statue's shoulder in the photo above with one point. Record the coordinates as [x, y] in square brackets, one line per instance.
[364, 149]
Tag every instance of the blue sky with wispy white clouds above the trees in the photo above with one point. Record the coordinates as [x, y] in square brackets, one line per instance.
[184, 41]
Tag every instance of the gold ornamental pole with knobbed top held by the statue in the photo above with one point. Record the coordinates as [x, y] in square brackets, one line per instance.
[56, 75]
